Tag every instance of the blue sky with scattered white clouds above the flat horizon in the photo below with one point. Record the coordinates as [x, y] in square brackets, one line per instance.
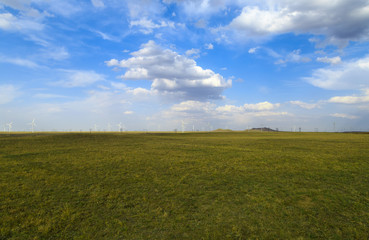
[162, 65]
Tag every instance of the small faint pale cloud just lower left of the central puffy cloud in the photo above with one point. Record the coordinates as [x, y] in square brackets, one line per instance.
[79, 78]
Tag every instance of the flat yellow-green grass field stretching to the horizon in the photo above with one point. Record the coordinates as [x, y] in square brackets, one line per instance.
[236, 185]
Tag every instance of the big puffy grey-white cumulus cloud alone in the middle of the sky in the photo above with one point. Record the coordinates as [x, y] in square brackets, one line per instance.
[172, 73]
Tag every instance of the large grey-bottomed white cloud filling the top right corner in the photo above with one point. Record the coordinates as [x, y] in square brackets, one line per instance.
[337, 20]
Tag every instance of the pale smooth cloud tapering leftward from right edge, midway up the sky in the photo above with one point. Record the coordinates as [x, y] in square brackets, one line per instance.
[347, 75]
